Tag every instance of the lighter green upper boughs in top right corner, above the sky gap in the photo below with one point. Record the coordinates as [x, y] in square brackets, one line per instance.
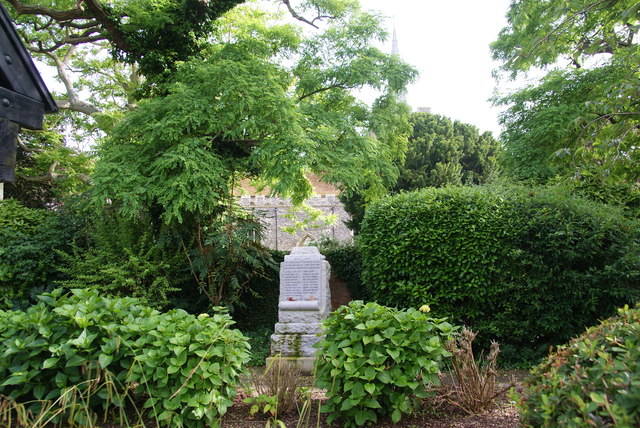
[539, 32]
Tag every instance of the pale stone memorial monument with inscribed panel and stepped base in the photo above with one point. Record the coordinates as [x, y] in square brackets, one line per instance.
[305, 301]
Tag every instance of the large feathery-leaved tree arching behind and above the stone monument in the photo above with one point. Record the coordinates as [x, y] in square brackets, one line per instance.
[267, 103]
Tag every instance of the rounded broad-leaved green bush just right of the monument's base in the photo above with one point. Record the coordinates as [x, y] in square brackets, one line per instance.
[376, 361]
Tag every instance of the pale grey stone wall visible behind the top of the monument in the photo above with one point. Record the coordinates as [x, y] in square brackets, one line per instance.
[273, 213]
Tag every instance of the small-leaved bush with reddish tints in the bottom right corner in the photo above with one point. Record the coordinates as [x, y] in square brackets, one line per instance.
[592, 381]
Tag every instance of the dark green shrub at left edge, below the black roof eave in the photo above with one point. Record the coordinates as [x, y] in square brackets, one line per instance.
[29, 238]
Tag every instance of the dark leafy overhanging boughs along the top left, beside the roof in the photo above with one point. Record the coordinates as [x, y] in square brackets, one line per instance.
[153, 34]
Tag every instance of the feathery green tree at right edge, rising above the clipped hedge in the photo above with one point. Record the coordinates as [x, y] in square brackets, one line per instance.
[582, 120]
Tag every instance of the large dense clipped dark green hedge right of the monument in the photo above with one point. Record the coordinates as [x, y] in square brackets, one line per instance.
[527, 267]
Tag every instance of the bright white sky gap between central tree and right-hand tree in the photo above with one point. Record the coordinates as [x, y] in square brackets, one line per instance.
[448, 42]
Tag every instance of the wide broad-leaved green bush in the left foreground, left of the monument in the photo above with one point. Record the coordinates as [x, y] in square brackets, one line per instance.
[186, 368]
